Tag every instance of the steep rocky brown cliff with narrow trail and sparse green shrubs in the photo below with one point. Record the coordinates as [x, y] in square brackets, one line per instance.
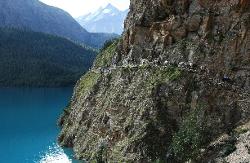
[178, 79]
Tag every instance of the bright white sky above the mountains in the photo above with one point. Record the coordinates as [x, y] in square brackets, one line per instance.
[81, 7]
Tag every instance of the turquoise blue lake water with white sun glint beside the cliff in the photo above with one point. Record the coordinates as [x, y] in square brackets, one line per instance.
[28, 129]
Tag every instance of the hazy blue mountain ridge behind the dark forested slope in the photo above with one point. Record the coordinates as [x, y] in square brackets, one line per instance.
[37, 16]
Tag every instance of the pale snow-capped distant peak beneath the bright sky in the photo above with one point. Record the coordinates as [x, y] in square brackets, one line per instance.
[108, 20]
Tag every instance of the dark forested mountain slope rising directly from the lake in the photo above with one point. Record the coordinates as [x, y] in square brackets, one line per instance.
[36, 59]
